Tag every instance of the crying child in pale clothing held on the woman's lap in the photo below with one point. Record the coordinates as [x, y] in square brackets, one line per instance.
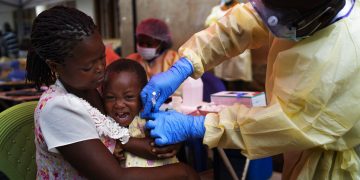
[124, 80]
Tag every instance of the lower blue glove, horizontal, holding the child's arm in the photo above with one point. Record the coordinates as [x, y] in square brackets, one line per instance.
[170, 127]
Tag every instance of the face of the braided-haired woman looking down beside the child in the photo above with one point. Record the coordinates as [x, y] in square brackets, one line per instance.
[85, 69]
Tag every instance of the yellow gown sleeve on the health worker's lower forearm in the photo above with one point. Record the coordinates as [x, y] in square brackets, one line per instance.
[259, 132]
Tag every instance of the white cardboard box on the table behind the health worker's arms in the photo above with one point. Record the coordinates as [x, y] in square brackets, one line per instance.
[249, 99]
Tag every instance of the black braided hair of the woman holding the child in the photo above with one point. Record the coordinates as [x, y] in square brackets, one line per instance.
[55, 33]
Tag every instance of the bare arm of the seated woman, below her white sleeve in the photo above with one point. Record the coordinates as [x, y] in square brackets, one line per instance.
[93, 160]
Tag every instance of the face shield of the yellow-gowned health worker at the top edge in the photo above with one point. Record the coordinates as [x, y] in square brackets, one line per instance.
[295, 25]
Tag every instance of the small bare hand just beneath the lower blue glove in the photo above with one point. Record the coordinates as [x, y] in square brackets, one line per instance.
[164, 152]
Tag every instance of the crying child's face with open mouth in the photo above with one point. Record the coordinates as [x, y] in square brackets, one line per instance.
[121, 94]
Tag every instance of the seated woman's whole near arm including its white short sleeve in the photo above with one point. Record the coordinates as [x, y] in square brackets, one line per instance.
[82, 148]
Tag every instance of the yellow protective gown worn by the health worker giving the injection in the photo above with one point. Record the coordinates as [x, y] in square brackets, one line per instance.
[313, 94]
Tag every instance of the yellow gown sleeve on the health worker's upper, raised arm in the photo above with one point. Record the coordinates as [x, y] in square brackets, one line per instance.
[238, 30]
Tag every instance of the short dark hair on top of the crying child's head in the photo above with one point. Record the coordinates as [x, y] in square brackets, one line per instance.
[127, 65]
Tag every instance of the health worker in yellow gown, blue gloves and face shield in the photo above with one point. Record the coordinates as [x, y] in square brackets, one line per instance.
[312, 87]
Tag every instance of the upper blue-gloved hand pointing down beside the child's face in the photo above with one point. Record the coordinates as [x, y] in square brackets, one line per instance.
[162, 85]
